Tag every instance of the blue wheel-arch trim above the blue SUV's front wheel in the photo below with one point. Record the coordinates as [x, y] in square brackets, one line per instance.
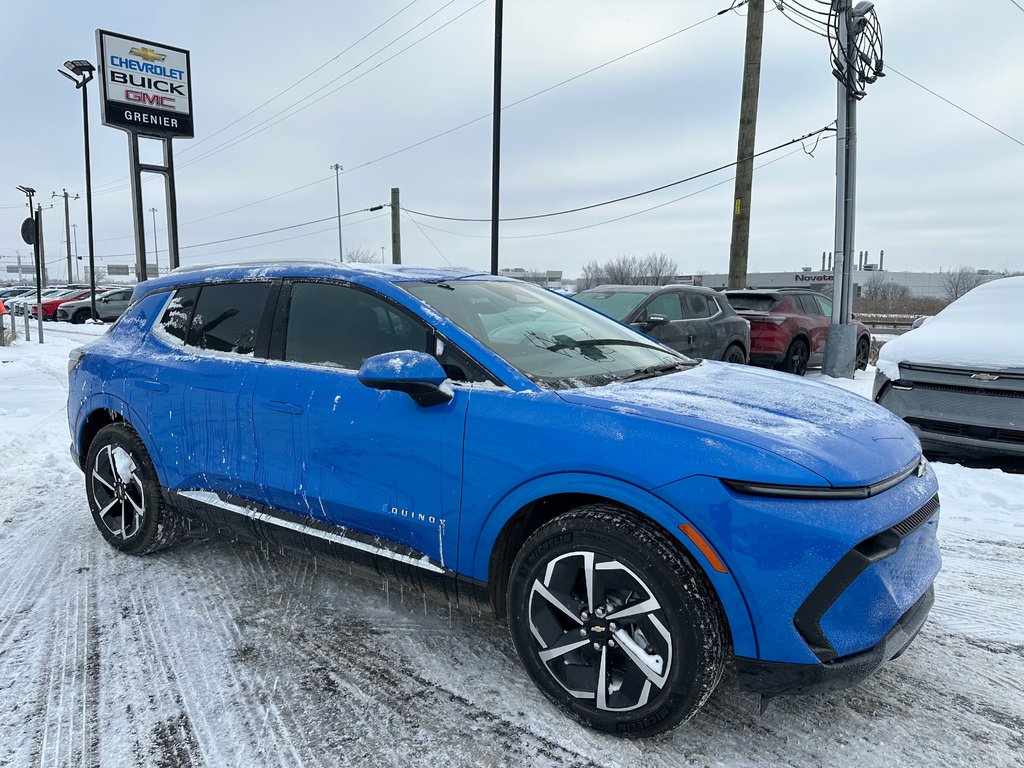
[666, 517]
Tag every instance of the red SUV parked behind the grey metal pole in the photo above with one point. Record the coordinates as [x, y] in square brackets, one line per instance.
[789, 328]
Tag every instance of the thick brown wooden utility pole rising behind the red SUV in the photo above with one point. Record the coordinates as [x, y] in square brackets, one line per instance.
[739, 249]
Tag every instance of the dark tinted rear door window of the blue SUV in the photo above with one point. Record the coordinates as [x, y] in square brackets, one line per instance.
[228, 317]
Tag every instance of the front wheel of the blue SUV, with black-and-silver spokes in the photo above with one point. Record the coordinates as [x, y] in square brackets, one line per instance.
[614, 624]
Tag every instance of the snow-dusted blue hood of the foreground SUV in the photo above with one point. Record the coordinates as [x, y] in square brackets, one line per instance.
[843, 438]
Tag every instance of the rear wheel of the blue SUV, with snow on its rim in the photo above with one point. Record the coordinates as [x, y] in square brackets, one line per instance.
[124, 495]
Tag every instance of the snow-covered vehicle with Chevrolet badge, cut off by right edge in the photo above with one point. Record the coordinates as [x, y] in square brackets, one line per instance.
[959, 377]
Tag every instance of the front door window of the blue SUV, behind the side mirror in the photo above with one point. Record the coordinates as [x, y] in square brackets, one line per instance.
[334, 325]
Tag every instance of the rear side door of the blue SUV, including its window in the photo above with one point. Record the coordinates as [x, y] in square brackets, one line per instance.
[194, 387]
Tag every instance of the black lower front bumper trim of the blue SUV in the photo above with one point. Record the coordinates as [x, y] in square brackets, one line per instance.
[776, 678]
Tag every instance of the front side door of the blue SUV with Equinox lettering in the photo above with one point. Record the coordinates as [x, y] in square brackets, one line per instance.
[348, 456]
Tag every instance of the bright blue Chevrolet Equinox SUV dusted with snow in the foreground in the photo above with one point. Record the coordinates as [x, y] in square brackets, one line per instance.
[642, 519]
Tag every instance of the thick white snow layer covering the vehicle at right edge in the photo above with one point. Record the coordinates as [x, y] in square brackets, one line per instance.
[980, 330]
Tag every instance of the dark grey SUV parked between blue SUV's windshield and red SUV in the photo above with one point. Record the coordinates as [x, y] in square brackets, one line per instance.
[694, 321]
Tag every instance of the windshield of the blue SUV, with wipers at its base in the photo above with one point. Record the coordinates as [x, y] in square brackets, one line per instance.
[554, 342]
